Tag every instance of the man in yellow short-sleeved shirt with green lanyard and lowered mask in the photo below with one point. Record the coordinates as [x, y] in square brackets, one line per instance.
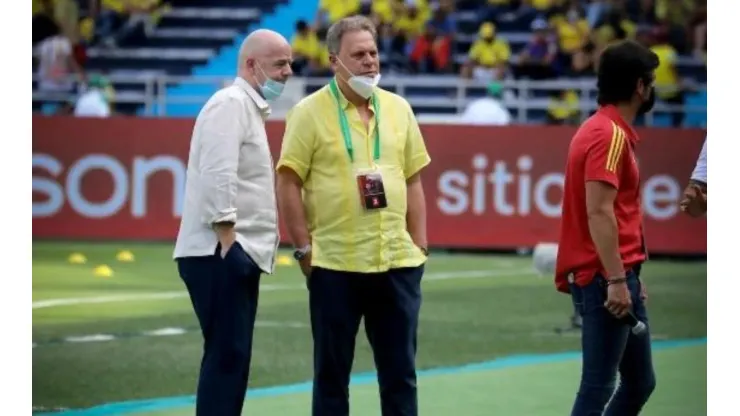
[350, 192]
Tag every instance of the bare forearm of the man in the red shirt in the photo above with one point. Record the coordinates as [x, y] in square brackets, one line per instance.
[605, 235]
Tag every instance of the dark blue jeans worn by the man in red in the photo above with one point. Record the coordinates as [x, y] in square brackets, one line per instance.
[609, 347]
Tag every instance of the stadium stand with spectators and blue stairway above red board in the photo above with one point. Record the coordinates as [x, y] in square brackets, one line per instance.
[170, 65]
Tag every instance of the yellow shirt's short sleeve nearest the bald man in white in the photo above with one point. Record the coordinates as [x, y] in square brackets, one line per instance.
[298, 142]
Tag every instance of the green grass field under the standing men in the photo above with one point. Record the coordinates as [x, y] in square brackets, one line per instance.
[476, 309]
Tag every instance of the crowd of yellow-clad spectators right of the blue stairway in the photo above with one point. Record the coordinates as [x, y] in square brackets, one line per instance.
[566, 39]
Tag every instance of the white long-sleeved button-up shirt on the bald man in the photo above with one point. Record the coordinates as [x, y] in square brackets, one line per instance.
[230, 177]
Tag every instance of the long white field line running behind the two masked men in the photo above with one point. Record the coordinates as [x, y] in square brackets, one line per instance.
[469, 274]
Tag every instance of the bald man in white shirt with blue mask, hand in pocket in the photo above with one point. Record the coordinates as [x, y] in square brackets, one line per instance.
[229, 228]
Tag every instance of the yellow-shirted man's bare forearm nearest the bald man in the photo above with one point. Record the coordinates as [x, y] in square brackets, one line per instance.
[290, 204]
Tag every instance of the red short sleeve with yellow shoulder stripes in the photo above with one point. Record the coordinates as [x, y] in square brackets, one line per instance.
[604, 155]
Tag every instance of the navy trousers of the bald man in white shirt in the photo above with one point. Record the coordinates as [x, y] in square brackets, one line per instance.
[224, 293]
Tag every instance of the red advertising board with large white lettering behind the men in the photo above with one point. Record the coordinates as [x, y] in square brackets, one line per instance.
[123, 179]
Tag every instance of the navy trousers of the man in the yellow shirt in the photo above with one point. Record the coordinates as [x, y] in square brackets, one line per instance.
[390, 304]
